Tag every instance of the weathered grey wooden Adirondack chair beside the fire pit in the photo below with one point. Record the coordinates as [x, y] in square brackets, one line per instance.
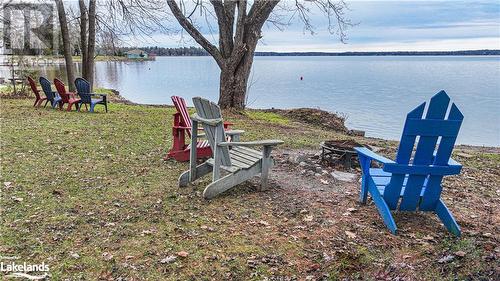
[235, 157]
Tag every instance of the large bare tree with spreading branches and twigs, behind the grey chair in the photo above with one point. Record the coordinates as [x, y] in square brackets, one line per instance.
[239, 29]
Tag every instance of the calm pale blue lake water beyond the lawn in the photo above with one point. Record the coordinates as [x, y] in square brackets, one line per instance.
[375, 93]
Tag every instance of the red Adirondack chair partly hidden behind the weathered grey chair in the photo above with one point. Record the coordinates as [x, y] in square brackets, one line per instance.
[182, 126]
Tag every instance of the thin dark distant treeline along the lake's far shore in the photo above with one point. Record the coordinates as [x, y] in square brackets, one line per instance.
[196, 51]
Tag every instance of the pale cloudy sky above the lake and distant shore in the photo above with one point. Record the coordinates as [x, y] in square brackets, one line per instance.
[380, 26]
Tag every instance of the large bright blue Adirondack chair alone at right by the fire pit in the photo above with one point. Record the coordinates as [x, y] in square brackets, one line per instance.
[415, 183]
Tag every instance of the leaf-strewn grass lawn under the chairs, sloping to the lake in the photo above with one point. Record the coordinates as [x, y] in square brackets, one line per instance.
[90, 195]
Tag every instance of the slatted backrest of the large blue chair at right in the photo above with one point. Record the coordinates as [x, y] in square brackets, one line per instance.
[429, 130]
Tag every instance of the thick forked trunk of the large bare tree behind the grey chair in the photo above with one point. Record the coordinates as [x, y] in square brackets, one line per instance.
[236, 47]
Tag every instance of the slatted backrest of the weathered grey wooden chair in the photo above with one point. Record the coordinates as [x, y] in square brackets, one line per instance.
[214, 134]
